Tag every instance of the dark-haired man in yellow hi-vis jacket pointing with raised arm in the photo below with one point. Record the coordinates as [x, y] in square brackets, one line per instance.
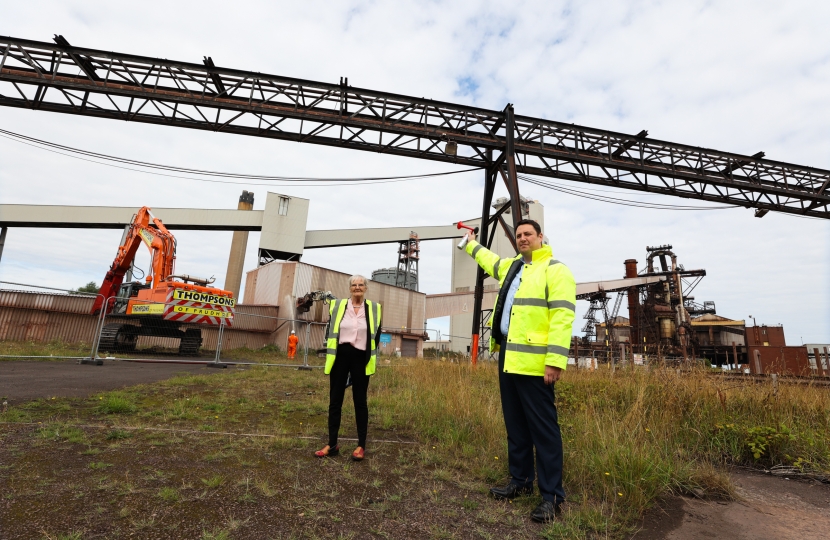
[531, 329]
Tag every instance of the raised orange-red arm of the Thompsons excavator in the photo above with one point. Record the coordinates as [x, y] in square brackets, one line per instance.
[149, 230]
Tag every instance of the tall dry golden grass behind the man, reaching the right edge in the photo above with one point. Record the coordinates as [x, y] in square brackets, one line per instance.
[629, 438]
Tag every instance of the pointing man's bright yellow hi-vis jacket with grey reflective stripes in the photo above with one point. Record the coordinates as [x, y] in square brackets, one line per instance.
[543, 310]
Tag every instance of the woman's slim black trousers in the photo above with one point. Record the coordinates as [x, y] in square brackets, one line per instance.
[349, 361]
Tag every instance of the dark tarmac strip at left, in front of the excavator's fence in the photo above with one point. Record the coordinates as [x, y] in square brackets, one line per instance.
[25, 381]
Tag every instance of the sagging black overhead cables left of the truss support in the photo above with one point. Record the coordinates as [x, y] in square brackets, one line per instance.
[262, 180]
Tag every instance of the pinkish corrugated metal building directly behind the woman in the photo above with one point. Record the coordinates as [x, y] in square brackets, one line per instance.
[280, 283]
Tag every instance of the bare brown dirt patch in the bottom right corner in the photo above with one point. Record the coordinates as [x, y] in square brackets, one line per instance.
[768, 508]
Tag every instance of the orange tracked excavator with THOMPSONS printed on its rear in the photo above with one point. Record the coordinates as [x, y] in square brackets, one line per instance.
[165, 302]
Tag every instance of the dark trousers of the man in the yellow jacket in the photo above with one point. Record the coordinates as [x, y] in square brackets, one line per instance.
[530, 417]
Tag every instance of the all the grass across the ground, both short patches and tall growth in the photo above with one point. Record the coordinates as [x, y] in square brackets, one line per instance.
[629, 438]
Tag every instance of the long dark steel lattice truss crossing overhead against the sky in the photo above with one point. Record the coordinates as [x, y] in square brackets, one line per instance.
[62, 78]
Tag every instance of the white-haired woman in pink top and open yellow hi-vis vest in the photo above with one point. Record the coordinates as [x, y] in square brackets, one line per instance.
[351, 357]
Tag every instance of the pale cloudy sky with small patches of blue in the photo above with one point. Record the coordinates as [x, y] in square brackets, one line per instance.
[736, 76]
